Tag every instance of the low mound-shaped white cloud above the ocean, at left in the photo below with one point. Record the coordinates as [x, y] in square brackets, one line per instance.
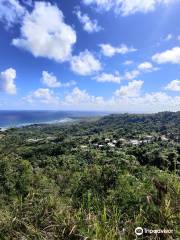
[43, 95]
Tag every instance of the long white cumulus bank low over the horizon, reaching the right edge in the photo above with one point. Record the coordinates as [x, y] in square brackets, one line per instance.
[149, 102]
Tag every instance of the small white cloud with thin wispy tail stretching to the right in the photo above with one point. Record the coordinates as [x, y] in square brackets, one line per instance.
[51, 81]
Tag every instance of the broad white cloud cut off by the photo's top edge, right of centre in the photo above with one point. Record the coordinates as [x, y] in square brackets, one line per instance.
[128, 7]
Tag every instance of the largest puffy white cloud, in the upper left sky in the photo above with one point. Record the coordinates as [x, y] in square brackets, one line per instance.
[45, 34]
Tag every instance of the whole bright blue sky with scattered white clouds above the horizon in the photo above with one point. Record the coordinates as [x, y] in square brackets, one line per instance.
[100, 55]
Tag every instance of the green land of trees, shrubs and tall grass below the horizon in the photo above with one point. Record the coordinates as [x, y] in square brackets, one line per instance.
[96, 180]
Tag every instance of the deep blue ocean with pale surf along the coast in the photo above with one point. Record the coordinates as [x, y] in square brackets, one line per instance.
[22, 118]
